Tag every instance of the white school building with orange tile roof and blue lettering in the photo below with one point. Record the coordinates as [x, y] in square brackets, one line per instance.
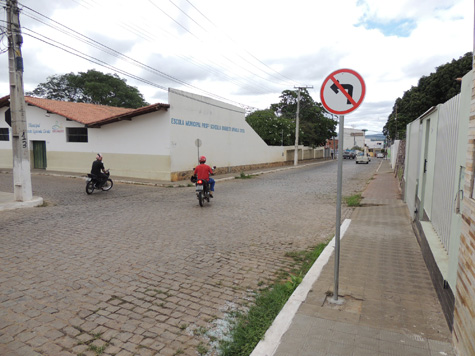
[159, 141]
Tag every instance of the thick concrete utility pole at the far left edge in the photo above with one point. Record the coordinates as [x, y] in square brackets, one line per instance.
[21, 153]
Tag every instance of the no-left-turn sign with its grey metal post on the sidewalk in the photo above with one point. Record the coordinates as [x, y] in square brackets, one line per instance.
[341, 93]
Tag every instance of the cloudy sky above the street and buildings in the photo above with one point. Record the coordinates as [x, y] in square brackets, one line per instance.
[245, 52]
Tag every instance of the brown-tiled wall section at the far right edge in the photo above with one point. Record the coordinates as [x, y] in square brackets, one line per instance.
[464, 320]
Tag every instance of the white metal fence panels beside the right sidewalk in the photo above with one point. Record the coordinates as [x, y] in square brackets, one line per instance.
[445, 121]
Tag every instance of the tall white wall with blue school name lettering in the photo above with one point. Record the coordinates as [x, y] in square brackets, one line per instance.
[226, 138]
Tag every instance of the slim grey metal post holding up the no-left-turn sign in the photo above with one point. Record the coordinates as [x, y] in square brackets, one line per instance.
[338, 207]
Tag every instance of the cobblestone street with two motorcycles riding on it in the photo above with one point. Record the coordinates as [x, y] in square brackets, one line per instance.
[143, 270]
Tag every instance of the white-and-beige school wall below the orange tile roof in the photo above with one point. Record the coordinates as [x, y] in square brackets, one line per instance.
[136, 148]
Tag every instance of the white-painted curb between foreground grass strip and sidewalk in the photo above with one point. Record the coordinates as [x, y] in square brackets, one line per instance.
[272, 338]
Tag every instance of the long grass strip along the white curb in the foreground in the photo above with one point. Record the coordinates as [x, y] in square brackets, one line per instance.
[250, 327]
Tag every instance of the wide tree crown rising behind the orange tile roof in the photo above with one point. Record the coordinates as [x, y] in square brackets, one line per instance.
[90, 87]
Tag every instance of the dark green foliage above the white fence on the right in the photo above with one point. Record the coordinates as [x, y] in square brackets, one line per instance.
[431, 90]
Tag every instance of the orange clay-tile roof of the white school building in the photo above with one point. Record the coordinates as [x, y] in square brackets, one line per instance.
[90, 115]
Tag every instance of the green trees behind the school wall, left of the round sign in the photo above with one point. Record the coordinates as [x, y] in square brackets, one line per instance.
[276, 125]
